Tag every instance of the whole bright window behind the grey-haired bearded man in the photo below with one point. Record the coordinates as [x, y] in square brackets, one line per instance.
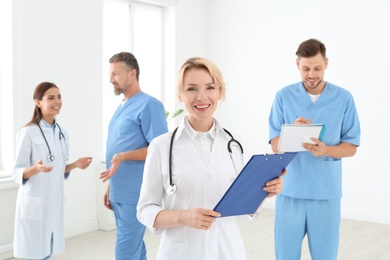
[147, 31]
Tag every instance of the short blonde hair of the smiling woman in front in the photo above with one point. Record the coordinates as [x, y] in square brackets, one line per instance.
[201, 63]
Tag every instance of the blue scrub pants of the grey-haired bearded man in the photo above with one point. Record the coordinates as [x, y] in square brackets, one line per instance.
[130, 233]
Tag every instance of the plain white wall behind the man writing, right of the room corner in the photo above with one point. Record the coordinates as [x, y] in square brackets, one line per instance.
[254, 43]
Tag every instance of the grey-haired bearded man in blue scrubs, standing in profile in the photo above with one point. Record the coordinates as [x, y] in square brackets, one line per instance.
[136, 122]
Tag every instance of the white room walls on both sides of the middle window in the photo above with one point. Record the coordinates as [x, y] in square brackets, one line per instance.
[252, 41]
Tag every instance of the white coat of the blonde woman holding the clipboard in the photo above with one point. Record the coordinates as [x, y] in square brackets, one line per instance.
[199, 185]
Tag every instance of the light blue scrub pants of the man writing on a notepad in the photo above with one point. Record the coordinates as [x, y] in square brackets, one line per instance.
[319, 219]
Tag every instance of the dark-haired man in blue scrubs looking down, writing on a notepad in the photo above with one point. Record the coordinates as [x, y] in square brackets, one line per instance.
[310, 201]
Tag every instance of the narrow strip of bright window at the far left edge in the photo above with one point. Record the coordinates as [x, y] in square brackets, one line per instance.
[6, 90]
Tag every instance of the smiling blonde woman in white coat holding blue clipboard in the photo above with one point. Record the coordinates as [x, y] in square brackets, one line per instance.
[202, 171]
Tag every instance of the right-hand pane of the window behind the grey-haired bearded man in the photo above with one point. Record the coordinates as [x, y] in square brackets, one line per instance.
[152, 41]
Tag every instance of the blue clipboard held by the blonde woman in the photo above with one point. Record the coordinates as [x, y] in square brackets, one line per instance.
[246, 193]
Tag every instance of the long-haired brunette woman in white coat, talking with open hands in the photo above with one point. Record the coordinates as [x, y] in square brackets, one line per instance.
[40, 169]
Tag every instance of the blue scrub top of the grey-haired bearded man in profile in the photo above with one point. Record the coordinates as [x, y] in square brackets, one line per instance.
[133, 126]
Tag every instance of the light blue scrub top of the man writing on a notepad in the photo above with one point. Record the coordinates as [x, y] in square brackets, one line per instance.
[311, 177]
